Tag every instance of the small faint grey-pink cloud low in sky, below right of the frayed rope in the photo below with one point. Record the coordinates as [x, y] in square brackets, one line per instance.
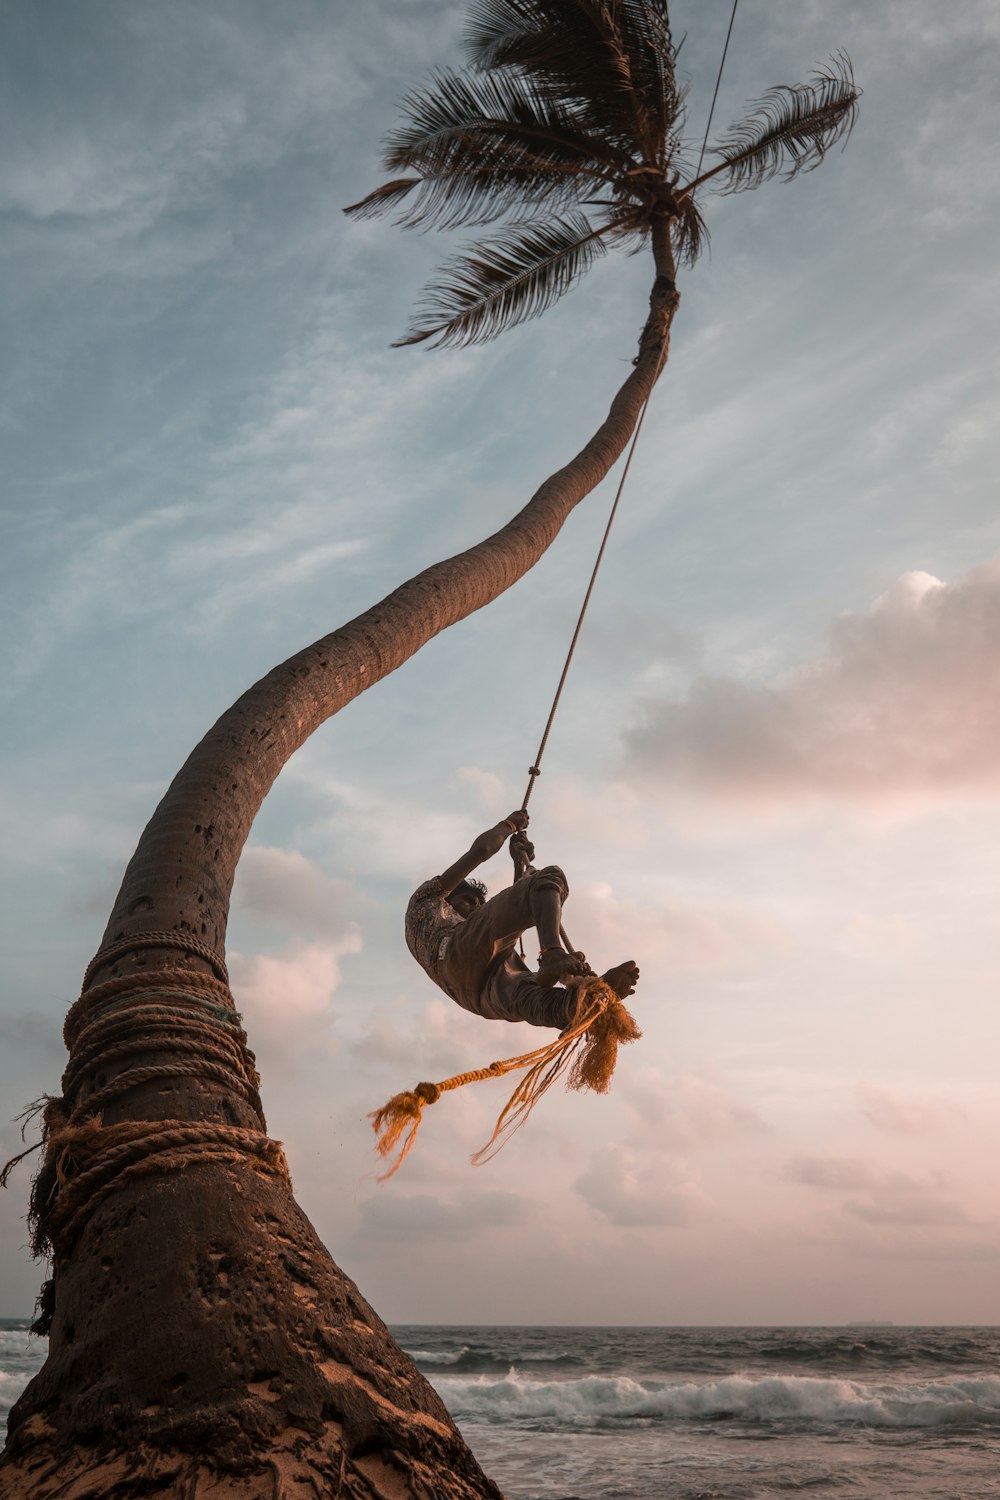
[641, 1190]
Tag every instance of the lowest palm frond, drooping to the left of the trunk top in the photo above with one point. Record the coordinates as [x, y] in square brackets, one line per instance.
[507, 280]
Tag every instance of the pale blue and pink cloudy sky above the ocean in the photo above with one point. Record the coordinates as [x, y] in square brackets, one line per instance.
[776, 775]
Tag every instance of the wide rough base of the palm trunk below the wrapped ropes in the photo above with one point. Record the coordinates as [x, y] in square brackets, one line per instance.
[205, 1345]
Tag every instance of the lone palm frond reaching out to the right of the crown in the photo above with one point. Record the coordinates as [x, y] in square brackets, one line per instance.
[791, 130]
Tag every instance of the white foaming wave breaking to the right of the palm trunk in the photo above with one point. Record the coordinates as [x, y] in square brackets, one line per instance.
[792, 1402]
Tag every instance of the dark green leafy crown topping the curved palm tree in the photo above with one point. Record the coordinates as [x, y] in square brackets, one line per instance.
[569, 124]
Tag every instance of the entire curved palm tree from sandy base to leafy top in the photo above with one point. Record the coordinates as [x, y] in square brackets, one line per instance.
[200, 1333]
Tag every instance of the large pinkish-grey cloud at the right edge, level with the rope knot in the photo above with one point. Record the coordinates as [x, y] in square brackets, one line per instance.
[905, 706]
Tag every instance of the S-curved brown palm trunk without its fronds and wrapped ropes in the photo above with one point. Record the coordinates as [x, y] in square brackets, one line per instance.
[203, 1342]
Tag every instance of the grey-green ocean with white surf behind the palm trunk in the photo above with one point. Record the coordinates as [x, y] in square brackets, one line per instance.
[704, 1414]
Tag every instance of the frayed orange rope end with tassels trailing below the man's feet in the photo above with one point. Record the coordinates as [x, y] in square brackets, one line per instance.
[587, 1049]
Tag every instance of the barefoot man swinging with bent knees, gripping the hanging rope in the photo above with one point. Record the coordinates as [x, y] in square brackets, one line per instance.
[467, 943]
